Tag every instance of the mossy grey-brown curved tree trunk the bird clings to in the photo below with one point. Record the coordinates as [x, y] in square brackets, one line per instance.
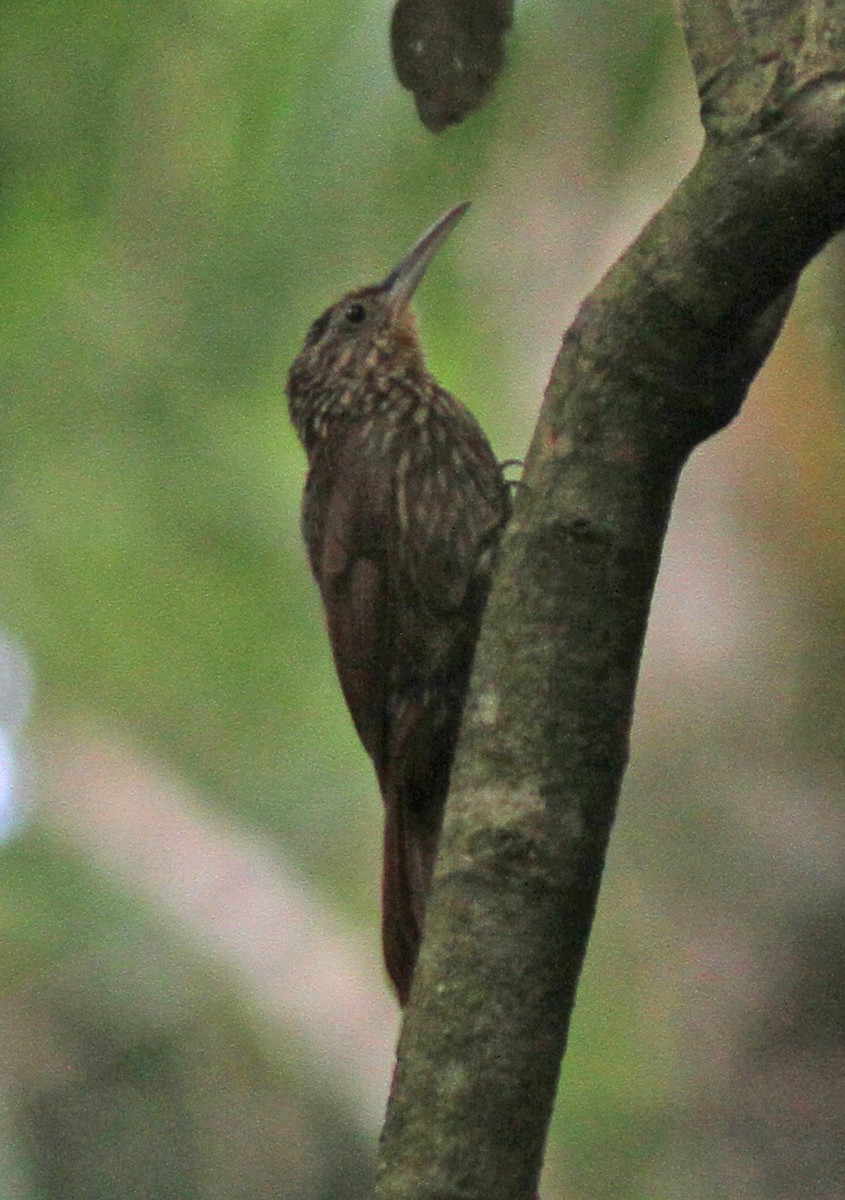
[658, 359]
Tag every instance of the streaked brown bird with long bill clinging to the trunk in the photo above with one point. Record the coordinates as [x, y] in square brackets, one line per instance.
[404, 508]
